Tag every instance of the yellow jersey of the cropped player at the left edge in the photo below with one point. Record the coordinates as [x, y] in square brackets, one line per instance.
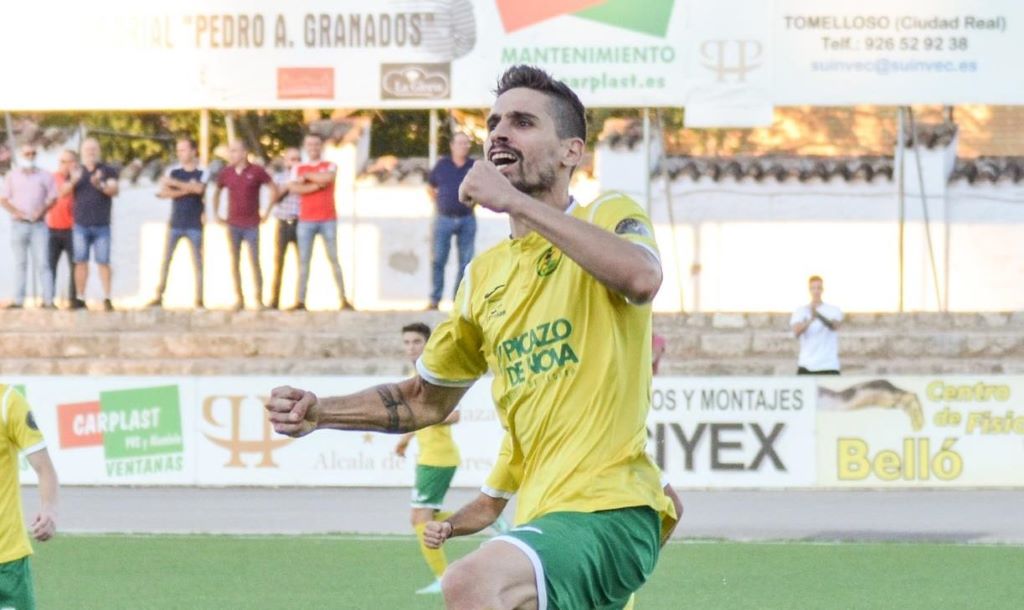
[19, 434]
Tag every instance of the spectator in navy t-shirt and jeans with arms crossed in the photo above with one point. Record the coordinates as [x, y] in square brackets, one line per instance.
[185, 185]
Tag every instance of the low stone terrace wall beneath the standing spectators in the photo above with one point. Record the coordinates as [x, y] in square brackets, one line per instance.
[155, 342]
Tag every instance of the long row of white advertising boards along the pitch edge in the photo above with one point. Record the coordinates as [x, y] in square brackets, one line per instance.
[798, 432]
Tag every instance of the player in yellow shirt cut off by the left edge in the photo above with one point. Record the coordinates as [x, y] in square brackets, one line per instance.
[20, 435]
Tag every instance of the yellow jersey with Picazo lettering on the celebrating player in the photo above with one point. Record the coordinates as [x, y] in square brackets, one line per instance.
[572, 366]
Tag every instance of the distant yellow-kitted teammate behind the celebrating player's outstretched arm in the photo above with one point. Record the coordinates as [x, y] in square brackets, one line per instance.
[436, 465]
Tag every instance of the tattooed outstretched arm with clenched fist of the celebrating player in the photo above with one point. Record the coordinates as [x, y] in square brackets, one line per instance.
[398, 408]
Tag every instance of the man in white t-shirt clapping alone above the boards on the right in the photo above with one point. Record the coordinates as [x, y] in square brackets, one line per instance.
[816, 326]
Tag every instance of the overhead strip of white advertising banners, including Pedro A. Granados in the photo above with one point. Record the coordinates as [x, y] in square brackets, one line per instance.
[732, 60]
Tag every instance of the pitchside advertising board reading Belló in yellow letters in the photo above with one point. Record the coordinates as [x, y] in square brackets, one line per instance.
[921, 431]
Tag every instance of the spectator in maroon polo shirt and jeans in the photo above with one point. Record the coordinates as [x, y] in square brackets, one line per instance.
[243, 182]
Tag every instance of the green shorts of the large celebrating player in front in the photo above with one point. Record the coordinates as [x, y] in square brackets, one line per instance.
[586, 561]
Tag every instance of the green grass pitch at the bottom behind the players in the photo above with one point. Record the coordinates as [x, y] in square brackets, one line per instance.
[307, 573]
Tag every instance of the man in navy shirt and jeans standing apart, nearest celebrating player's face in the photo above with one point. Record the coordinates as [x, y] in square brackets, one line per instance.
[453, 219]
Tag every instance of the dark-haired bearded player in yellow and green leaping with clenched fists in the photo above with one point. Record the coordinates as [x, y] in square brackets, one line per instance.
[561, 314]
